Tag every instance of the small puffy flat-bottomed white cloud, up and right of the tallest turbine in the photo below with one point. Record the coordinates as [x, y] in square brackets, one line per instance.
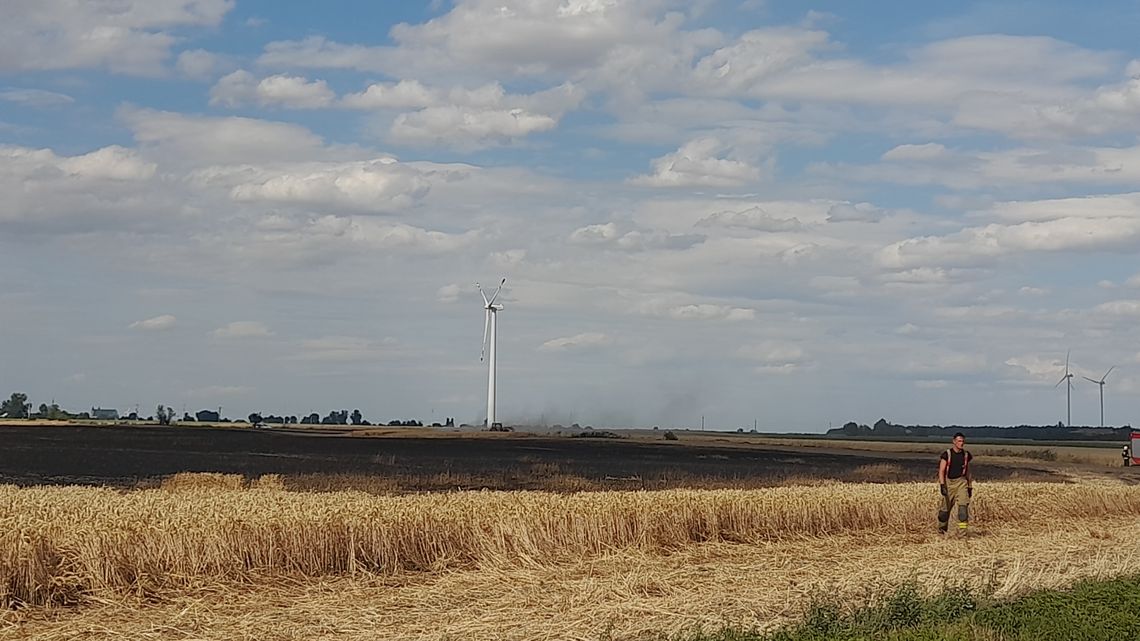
[697, 165]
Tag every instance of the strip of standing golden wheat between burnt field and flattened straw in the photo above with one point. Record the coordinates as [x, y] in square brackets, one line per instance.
[61, 545]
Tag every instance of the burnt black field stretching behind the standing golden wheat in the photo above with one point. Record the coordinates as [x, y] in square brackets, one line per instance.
[137, 457]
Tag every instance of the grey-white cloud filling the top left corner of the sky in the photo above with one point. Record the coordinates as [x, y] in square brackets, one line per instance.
[129, 37]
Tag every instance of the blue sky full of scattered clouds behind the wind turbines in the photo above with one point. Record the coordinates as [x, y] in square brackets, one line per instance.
[770, 213]
